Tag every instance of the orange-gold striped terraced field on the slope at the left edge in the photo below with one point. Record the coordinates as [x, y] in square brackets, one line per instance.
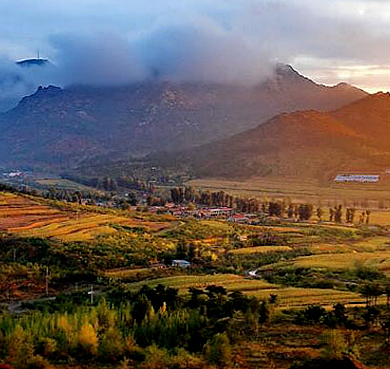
[26, 217]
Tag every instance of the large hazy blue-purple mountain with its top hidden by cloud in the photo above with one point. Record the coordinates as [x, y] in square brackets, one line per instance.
[65, 127]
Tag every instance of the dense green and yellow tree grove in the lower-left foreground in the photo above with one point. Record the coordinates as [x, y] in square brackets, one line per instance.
[151, 328]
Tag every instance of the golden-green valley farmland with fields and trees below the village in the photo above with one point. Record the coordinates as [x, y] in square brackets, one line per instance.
[299, 278]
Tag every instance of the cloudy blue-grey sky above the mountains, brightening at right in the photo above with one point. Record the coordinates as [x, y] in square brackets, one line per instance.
[111, 42]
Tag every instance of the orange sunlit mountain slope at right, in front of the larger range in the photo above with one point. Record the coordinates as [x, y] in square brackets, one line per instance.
[304, 143]
